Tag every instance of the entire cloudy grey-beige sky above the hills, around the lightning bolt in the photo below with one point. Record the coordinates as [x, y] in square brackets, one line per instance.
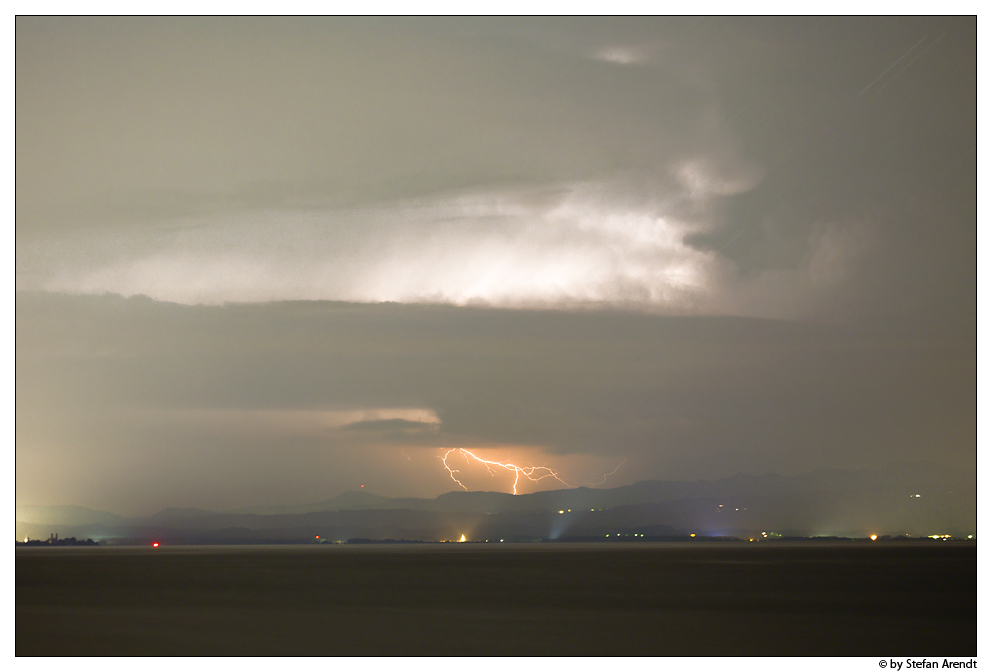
[264, 261]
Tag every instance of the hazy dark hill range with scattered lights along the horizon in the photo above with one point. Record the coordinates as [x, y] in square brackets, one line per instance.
[824, 502]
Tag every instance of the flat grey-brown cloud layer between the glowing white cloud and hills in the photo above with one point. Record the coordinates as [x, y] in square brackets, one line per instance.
[161, 384]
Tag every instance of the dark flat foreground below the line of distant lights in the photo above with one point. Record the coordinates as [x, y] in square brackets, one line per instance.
[706, 599]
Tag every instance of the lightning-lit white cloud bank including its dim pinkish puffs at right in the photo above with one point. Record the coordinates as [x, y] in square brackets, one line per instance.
[582, 245]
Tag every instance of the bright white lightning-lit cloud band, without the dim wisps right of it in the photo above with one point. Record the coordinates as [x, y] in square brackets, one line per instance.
[582, 246]
